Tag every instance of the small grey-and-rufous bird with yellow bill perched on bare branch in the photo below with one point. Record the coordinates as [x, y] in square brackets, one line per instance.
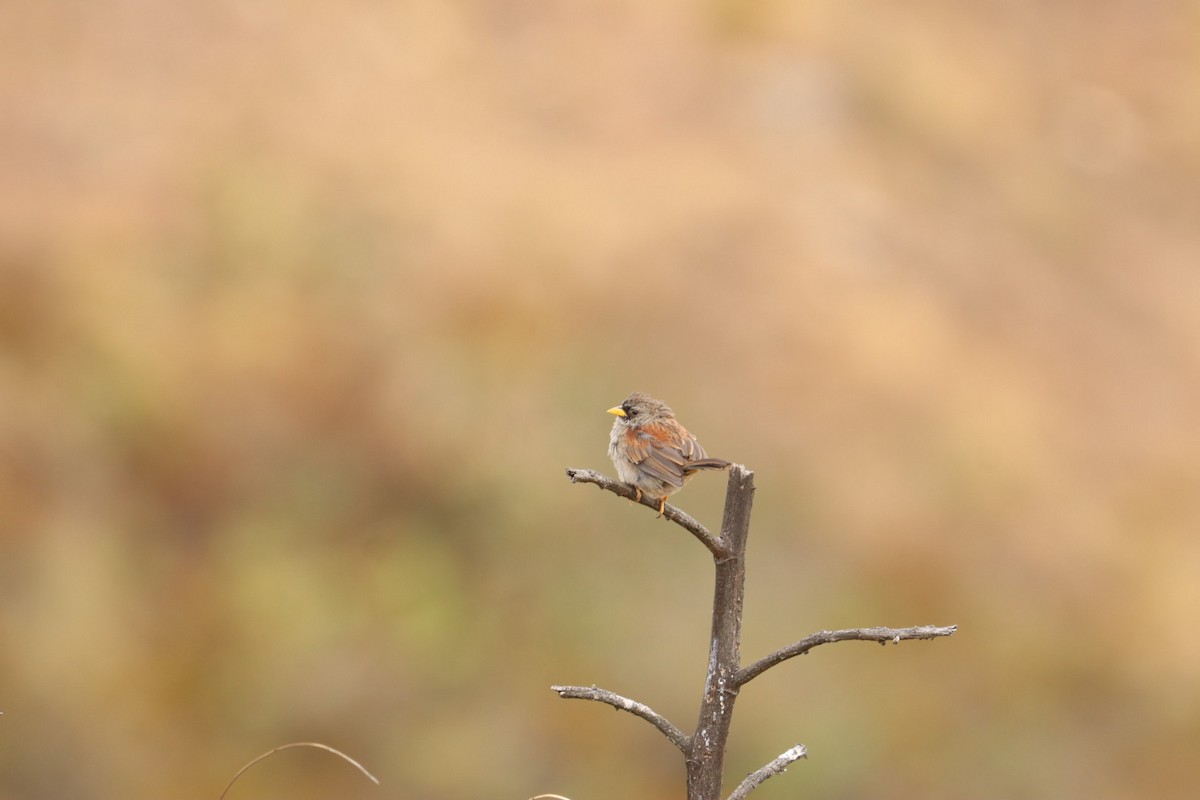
[652, 452]
